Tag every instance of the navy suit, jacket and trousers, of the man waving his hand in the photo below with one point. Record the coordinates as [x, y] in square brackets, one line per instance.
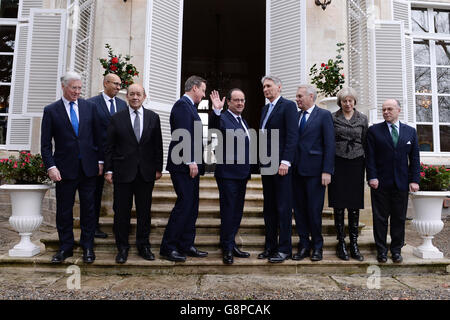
[231, 177]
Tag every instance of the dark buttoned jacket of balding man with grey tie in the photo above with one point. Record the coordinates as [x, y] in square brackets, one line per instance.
[124, 155]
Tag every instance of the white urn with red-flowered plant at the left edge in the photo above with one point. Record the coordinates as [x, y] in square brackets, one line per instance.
[26, 179]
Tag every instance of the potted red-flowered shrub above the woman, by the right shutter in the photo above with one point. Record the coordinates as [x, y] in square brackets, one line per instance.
[329, 78]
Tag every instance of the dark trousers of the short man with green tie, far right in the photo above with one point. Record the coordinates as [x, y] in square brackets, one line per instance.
[389, 204]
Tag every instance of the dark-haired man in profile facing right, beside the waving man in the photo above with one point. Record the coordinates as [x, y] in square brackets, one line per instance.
[185, 168]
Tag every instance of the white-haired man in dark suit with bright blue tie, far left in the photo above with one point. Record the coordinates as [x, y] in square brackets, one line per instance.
[74, 165]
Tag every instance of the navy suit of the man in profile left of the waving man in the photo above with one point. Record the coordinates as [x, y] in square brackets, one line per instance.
[180, 231]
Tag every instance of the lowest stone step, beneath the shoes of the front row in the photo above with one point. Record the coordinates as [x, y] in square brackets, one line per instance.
[105, 265]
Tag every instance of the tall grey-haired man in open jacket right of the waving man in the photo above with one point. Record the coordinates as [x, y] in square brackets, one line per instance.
[278, 117]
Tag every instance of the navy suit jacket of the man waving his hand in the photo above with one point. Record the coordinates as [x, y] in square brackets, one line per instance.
[230, 169]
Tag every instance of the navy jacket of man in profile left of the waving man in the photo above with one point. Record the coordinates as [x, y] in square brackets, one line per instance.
[183, 116]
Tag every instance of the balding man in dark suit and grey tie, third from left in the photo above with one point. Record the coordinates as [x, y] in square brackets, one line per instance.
[133, 162]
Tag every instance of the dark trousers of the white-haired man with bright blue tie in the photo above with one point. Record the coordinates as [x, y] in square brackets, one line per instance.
[65, 199]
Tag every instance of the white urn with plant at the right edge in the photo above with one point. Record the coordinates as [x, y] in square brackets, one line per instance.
[427, 203]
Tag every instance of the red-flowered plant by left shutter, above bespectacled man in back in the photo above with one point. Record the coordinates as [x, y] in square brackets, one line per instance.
[119, 65]
